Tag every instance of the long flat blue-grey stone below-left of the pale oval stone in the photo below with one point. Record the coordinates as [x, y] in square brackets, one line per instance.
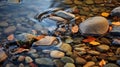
[44, 61]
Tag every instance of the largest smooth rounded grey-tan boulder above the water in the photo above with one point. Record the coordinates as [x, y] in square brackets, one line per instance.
[94, 25]
